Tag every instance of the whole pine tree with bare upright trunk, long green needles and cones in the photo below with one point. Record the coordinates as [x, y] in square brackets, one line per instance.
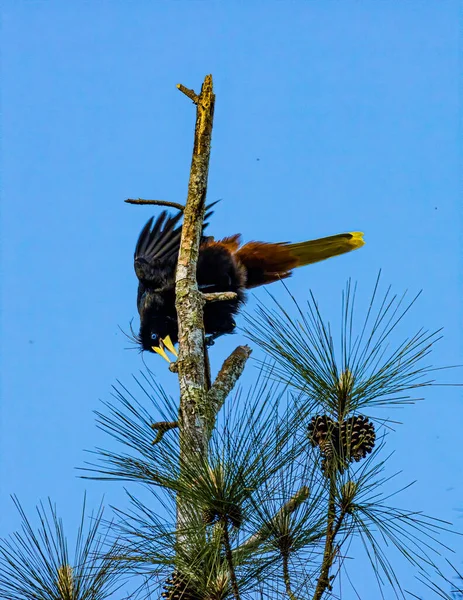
[263, 490]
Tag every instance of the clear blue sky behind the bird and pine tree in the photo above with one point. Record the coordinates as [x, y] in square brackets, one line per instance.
[352, 110]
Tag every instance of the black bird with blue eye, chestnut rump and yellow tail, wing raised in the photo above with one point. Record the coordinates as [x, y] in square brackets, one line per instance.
[223, 265]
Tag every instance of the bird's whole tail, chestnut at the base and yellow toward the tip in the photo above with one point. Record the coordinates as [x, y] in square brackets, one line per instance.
[265, 263]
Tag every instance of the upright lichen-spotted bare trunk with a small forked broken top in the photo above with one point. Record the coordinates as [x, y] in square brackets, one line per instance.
[189, 301]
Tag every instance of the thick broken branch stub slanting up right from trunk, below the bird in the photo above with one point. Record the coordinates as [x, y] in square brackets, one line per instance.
[225, 381]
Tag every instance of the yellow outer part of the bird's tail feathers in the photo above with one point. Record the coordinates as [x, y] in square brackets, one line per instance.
[323, 248]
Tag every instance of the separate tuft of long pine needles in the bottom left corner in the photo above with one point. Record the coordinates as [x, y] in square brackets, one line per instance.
[38, 565]
